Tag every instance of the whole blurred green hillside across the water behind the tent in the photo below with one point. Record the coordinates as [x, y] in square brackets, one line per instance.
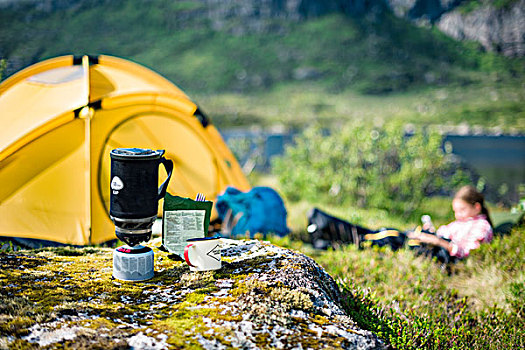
[333, 67]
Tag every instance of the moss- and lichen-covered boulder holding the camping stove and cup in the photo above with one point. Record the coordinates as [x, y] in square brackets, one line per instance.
[263, 297]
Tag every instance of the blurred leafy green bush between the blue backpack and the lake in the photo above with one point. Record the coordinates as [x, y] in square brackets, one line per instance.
[376, 167]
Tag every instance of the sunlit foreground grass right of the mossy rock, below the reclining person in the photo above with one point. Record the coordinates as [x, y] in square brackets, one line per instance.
[480, 305]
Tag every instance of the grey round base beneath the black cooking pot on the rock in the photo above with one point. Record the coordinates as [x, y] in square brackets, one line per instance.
[133, 263]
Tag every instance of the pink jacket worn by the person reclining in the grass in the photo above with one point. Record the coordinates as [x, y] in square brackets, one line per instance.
[466, 235]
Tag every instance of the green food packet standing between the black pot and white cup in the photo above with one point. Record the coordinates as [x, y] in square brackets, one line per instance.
[183, 218]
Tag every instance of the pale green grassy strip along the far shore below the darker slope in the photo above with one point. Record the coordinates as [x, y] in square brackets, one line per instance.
[295, 106]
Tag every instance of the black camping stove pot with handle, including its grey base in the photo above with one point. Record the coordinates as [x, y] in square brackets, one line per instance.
[133, 208]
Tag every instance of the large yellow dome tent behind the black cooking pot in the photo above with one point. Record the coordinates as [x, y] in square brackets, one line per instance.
[60, 118]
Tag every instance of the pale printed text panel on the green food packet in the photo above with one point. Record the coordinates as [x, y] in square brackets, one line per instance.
[180, 225]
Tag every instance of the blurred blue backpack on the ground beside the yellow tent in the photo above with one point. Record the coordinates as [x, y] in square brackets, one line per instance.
[260, 210]
